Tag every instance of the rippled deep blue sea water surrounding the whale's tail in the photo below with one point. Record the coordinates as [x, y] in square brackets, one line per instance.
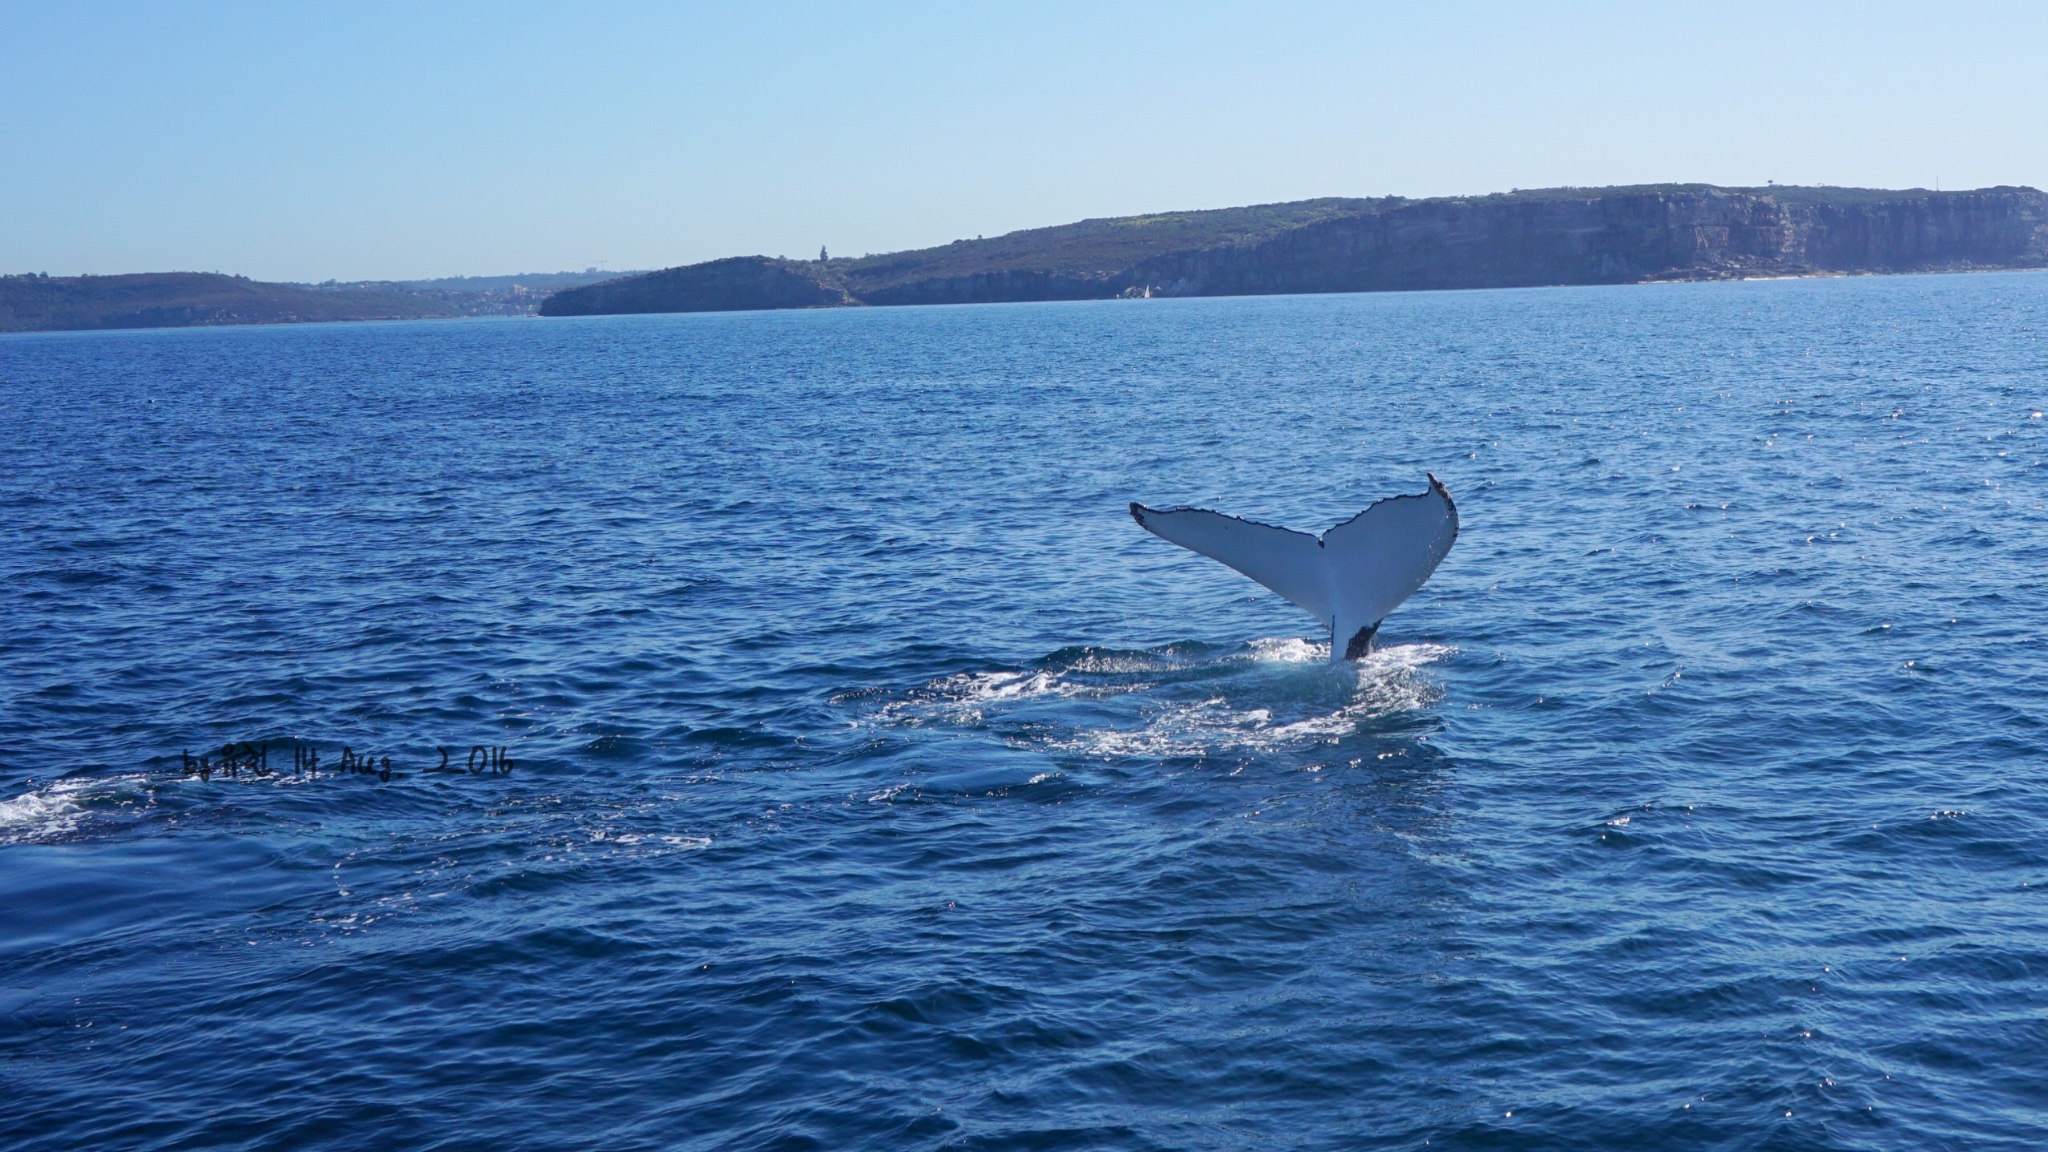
[878, 784]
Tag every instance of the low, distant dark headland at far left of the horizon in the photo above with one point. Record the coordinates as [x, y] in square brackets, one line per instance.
[185, 300]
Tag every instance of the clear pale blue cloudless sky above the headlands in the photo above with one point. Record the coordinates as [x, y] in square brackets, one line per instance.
[398, 140]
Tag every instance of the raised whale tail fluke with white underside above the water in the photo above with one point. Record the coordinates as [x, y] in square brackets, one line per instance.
[1349, 579]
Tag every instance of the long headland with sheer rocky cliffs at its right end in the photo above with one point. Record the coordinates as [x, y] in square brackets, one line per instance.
[1523, 239]
